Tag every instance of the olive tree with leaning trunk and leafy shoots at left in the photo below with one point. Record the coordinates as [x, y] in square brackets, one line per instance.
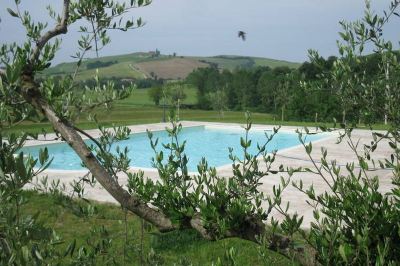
[217, 207]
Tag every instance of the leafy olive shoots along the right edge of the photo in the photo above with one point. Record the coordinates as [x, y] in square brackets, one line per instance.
[354, 221]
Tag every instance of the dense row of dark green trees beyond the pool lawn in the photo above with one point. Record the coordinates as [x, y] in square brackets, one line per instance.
[280, 91]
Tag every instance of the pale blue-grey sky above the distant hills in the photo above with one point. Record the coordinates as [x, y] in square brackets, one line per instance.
[279, 29]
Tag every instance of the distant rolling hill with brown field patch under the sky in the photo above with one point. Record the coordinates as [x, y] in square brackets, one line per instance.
[151, 65]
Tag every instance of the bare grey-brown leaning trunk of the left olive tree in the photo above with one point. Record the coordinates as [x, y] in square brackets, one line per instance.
[31, 93]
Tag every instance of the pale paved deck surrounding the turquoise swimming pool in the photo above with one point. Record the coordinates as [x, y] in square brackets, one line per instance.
[291, 157]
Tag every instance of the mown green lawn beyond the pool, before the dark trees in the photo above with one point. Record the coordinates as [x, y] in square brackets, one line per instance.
[134, 111]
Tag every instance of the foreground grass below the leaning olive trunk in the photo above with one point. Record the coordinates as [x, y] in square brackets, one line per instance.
[57, 213]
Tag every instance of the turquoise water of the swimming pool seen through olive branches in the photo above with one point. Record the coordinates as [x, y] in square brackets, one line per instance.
[210, 143]
